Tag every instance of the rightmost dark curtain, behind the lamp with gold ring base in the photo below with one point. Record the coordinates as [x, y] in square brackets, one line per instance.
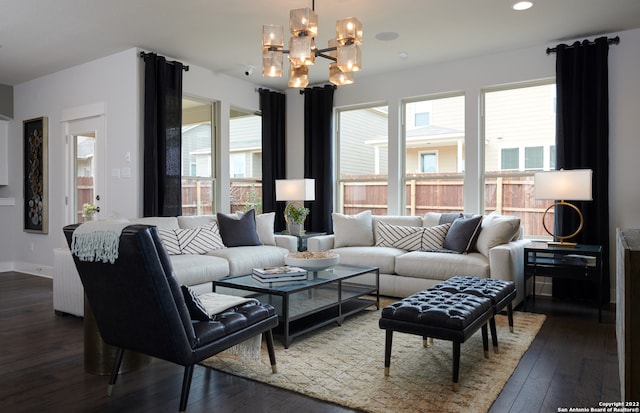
[582, 134]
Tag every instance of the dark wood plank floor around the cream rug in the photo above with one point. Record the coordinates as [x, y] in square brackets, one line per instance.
[571, 363]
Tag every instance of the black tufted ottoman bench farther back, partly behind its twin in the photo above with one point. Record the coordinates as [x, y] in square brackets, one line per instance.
[500, 292]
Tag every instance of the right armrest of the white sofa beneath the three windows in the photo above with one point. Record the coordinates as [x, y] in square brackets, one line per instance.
[507, 263]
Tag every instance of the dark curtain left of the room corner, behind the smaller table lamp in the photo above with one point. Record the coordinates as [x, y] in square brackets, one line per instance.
[273, 108]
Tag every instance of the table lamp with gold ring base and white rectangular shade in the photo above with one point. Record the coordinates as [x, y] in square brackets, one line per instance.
[563, 185]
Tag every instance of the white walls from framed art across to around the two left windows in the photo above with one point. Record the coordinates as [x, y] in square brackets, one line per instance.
[116, 82]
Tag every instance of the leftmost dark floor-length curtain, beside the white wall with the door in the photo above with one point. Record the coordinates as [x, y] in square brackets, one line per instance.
[162, 136]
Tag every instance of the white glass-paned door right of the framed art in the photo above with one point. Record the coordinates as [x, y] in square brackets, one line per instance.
[85, 167]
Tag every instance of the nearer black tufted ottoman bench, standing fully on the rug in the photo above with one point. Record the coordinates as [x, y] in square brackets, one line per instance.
[437, 314]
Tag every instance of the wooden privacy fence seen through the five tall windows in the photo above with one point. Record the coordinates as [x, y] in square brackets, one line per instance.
[510, 195]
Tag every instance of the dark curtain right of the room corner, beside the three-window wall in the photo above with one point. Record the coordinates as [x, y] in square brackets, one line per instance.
[318, 155]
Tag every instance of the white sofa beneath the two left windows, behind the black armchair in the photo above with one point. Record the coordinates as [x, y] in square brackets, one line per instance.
[197, 271]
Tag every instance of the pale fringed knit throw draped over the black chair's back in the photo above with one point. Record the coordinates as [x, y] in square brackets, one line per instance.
[97, 240]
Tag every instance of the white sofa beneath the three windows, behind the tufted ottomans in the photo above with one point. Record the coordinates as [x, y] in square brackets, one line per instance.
[404, 269]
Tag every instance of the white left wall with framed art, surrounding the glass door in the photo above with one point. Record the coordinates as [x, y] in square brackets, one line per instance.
[111, 80]
